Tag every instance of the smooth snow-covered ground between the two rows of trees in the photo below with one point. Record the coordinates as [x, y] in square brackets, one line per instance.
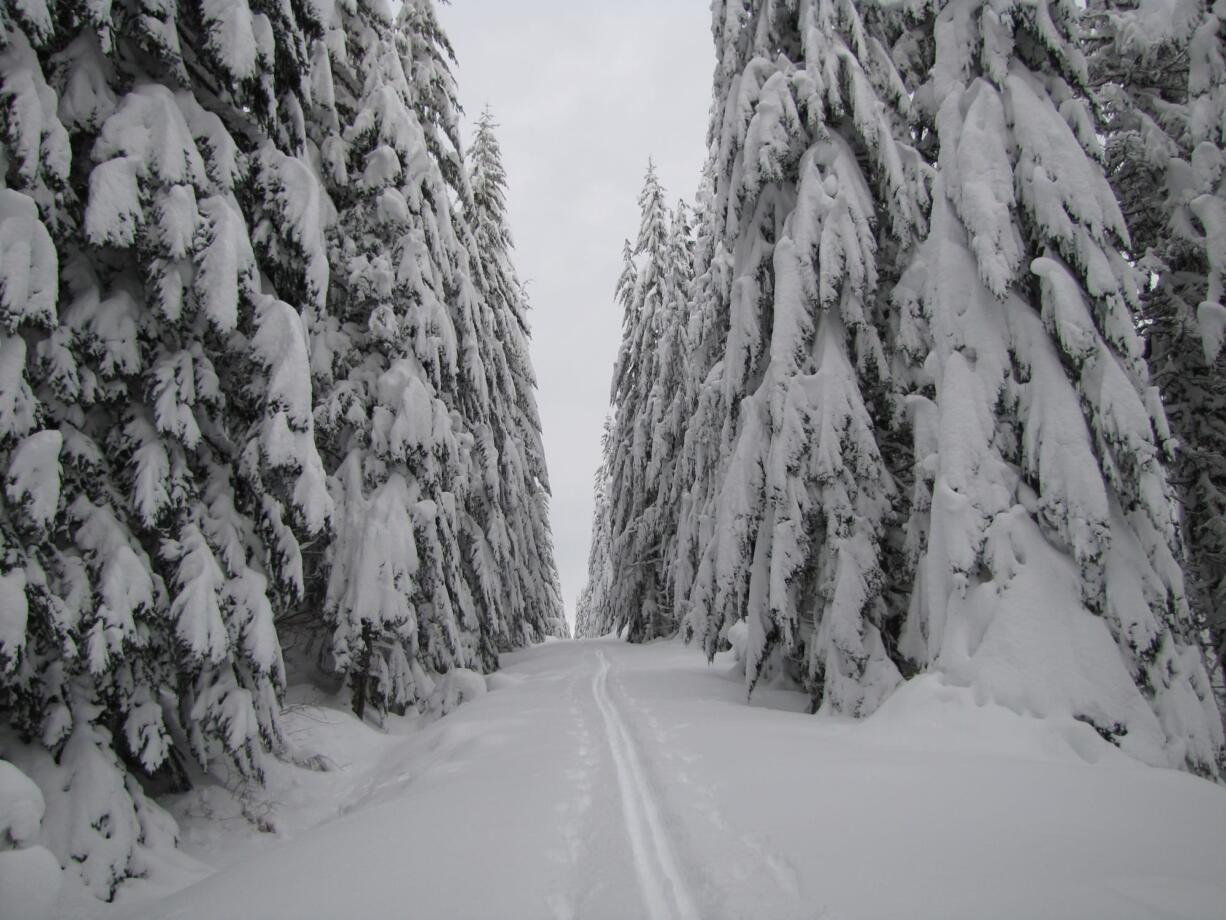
[606, 781]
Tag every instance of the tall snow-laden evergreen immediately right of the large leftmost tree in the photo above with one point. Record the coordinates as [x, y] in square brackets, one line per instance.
[395, 598]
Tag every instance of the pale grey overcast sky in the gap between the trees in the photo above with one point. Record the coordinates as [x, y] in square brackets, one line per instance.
[584, 93]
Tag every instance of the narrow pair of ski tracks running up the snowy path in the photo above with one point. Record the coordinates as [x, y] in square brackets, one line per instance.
[665, 894]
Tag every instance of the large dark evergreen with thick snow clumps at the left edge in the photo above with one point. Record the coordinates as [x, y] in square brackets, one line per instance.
[140, 475]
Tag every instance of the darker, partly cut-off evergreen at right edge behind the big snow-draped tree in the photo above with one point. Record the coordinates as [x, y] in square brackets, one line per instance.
[1162, 73]
